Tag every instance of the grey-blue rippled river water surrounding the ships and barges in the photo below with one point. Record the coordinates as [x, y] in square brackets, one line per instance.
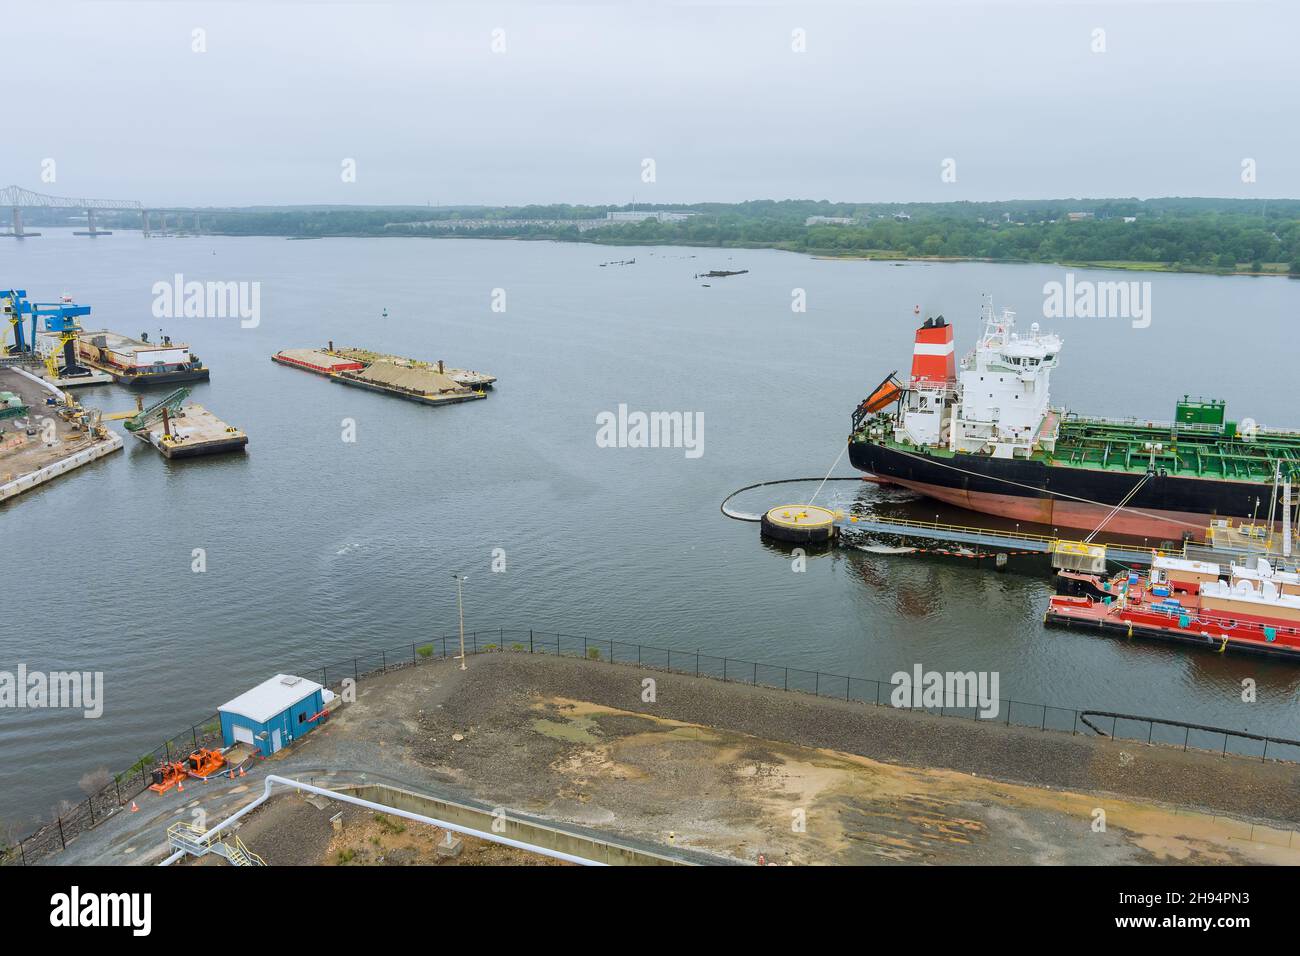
[318, 548]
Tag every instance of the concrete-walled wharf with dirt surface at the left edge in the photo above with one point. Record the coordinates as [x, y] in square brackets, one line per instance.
[41, 442]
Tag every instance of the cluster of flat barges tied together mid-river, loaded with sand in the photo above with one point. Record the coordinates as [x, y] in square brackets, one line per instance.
[410, 379]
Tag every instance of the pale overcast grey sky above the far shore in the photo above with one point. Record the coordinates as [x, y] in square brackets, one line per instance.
[716, 94]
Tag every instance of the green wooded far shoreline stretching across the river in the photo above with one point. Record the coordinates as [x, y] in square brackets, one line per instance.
[1186, 235]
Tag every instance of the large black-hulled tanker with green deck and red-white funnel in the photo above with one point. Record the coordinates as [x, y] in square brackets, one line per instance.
[986, 438]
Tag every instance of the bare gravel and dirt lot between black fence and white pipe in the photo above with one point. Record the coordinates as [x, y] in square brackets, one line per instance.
[738, 772]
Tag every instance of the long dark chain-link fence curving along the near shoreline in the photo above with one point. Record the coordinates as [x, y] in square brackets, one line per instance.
[129, 785]
